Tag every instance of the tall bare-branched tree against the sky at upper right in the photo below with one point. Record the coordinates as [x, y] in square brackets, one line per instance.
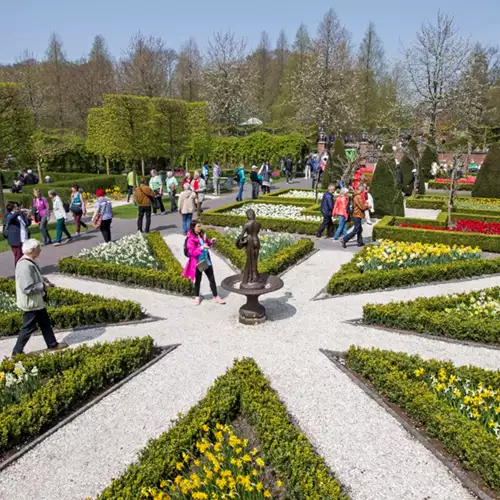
[434, 64]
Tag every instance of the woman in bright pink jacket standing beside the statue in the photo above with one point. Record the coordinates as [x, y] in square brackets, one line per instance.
[199, 261]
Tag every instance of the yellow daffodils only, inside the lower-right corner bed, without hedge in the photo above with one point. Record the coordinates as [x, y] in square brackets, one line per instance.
[475, 401]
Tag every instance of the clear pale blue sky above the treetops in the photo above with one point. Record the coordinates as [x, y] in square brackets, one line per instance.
[27, 24]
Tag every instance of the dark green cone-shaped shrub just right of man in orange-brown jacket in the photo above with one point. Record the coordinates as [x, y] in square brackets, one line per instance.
[387, 195]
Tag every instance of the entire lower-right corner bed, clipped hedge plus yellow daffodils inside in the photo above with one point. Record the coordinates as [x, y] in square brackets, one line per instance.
[433, 394]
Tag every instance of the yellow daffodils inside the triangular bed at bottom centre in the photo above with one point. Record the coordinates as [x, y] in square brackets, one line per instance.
[224, 467]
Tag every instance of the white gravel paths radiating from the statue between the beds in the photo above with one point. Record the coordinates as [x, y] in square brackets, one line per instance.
[371, 453]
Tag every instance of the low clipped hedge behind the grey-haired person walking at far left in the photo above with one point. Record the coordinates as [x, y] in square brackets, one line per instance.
[70, 309]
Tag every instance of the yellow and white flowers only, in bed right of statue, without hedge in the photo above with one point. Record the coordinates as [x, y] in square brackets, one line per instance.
[387, 254]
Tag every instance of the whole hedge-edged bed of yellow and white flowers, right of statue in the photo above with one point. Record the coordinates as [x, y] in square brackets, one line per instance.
[418, 269]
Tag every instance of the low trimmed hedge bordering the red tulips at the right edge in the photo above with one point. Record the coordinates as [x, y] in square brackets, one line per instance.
[387, 229]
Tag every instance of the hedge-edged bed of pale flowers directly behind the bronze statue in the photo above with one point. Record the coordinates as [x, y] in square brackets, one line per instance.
[278, 251]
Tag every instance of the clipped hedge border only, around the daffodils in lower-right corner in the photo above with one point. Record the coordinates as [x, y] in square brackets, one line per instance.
[392, 374]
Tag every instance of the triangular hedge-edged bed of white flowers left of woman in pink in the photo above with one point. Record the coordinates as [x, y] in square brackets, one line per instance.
[166, 273]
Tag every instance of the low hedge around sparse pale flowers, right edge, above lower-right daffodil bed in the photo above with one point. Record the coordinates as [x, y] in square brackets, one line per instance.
[428, 315]
